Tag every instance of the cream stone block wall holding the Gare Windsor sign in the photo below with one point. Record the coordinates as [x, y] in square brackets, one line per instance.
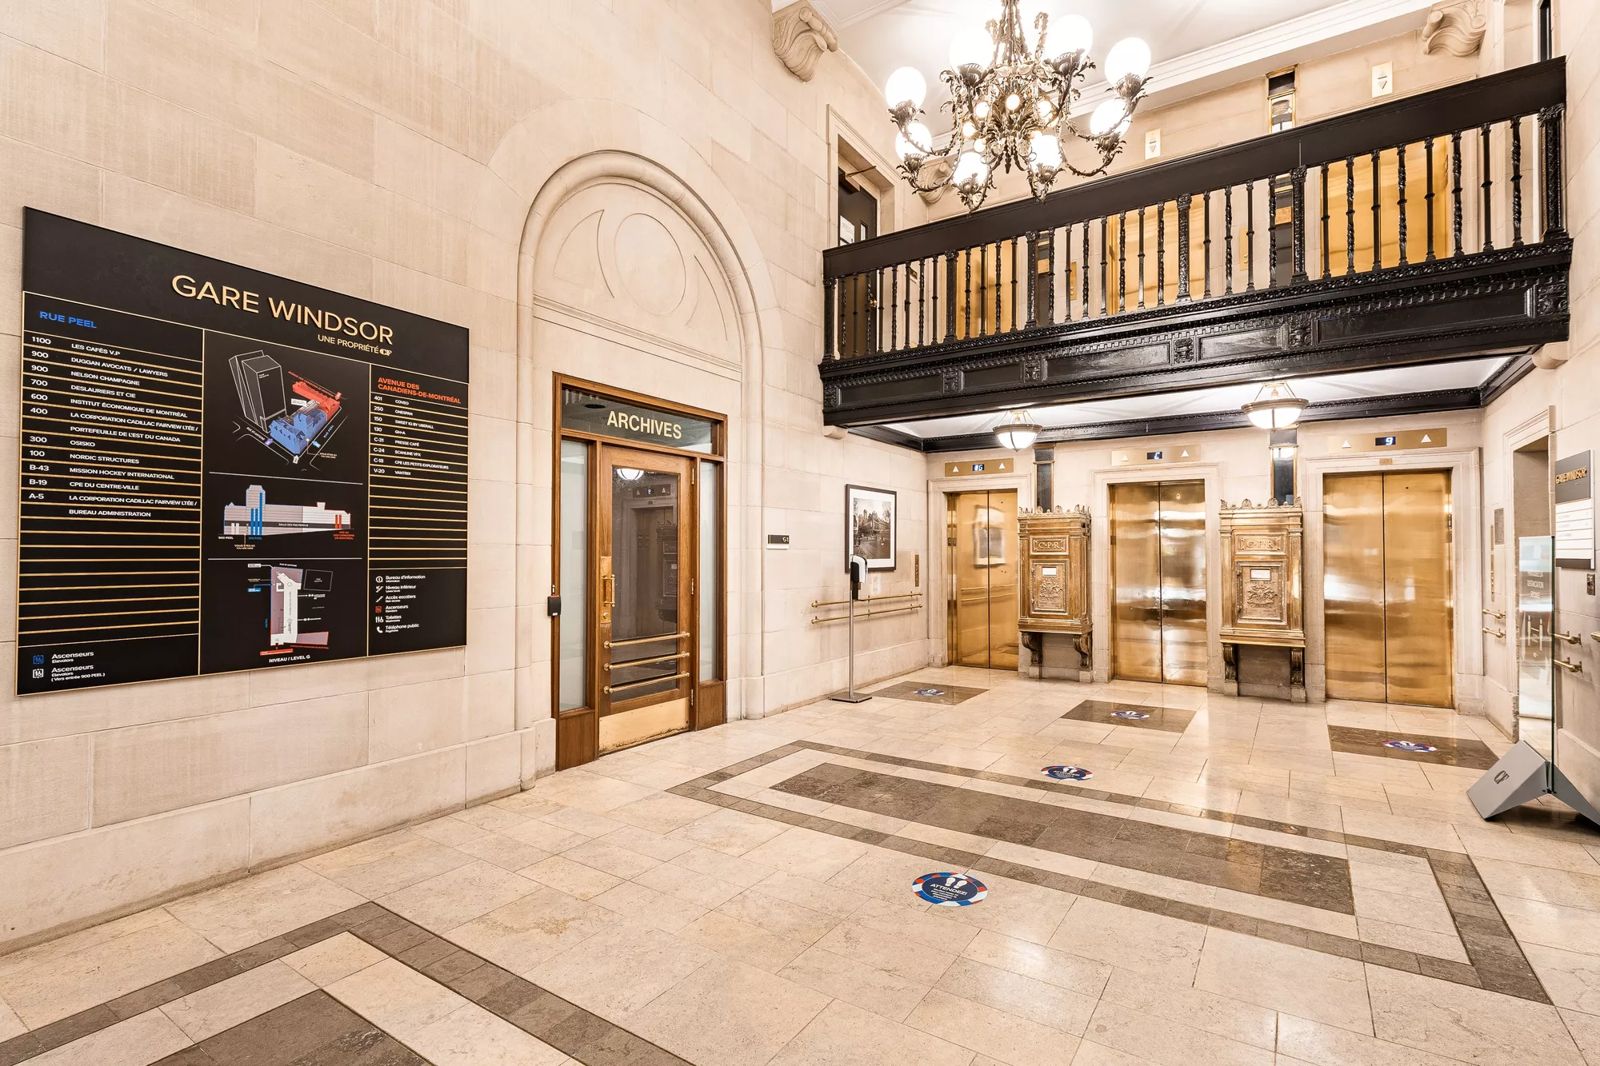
[394, 151]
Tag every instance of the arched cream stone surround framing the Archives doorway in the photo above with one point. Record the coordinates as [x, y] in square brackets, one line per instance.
[630, 279]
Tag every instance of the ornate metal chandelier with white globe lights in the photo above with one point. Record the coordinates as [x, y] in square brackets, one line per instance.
[1012, 106]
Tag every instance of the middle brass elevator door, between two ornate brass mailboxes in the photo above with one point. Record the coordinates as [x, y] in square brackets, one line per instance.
[1158, 563]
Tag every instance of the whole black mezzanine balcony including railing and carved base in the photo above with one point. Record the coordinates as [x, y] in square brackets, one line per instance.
[1410, 233]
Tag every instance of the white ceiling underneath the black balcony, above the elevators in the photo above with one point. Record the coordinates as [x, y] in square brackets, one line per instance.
[1466, 374]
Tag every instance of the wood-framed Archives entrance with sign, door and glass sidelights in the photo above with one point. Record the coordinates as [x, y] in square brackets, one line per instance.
[639, 585]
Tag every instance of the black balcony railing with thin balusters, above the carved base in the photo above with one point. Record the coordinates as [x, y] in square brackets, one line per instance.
[1434, 178]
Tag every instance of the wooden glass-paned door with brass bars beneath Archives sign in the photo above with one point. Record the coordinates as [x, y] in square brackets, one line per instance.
[644, 617]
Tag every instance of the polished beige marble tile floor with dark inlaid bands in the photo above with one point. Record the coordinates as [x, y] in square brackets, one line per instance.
[1250, 888]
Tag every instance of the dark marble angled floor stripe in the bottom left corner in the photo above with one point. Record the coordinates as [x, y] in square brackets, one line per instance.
[561, 1024]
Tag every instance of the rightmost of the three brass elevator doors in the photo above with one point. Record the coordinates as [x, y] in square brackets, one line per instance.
[1388, 595]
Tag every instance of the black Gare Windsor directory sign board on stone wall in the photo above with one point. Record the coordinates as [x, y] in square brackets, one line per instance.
[225, 470]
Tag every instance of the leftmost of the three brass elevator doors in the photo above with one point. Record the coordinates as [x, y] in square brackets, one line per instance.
[982, 574]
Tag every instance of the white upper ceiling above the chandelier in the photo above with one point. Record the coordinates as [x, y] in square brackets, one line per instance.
[1198, 46]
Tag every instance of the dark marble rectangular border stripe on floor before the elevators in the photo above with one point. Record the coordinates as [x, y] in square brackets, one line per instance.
[1497, 960]
